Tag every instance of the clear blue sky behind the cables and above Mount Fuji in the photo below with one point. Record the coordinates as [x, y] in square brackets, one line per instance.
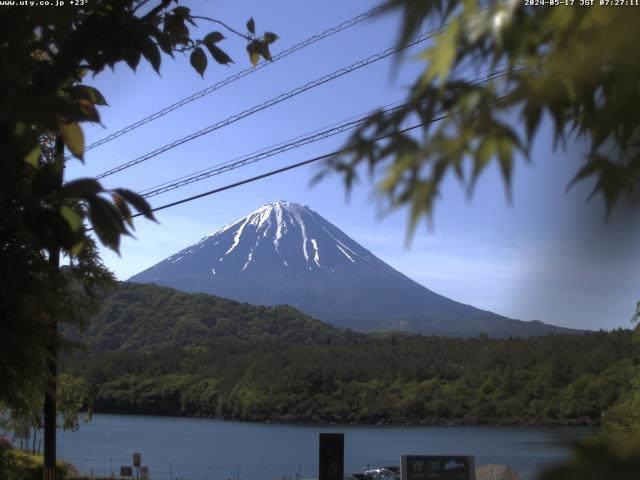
[546, 255]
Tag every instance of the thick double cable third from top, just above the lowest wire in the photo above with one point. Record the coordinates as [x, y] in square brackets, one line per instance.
[282, 147]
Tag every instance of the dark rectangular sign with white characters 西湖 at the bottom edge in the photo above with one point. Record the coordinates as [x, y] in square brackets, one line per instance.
[437, 467]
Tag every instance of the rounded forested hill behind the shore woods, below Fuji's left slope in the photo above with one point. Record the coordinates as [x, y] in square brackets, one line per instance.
[145, 317]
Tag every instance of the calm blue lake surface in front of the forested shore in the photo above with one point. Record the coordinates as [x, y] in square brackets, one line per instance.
[199, 449]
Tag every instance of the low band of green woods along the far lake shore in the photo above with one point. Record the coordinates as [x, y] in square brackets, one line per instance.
[554, 379]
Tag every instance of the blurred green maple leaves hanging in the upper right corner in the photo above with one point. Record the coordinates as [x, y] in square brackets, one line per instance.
[577, 66]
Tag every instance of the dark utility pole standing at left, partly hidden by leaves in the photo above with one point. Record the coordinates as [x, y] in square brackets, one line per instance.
[50, 394]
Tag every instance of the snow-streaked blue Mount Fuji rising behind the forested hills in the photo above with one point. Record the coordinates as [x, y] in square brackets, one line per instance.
[285, 253]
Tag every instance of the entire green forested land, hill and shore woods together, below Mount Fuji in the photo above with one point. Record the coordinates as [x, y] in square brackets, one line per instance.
[154, 350]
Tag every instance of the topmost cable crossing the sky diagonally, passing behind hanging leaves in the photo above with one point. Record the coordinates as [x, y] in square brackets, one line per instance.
[237, 76]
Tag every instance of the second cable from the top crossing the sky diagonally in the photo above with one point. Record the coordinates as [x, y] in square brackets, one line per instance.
[273, 101]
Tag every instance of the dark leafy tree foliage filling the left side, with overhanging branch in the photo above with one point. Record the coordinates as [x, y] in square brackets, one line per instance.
[45, 56]
